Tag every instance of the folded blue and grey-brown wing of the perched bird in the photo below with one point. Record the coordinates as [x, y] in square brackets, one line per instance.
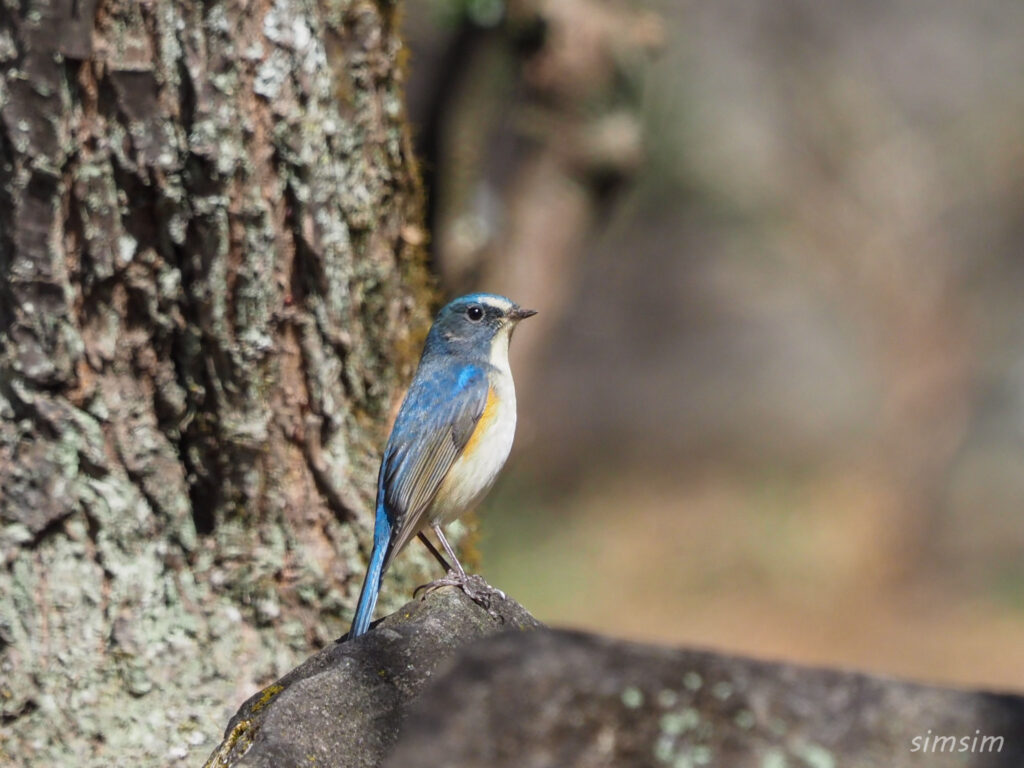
[436, 422]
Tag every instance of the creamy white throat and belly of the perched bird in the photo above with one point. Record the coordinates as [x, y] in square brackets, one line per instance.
[476, 472]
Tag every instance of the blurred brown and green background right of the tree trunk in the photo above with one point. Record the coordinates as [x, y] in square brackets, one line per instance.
[775, 401]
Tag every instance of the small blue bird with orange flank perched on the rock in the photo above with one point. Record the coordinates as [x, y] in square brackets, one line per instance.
[450, 440]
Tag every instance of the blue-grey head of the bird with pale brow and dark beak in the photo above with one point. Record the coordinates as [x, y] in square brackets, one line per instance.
[478, 325]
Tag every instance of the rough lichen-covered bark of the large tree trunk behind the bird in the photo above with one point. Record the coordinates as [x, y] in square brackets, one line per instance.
[212, 286]
